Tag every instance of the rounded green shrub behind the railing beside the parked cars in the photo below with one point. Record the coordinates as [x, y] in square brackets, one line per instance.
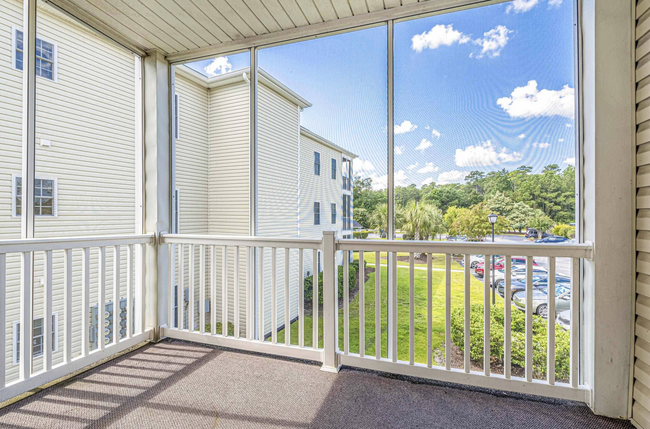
[518, 339]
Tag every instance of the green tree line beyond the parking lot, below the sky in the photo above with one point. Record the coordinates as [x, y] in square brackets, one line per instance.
[521, 198]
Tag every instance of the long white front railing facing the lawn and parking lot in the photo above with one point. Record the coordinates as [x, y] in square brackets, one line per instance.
[330, 355]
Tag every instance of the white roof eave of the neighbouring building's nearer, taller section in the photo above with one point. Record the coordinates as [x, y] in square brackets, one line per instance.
[238, 75]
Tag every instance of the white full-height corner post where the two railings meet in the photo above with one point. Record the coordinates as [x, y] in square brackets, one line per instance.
[157, 183]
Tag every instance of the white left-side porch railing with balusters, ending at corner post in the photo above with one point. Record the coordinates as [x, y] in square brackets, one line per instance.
[27, 250]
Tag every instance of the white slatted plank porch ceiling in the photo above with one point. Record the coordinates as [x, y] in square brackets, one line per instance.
[185, 28]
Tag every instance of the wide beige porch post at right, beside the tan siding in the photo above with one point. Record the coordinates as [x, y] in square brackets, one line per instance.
[607, 159]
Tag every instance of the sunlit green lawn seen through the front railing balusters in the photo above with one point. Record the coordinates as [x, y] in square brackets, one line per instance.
[420, 292]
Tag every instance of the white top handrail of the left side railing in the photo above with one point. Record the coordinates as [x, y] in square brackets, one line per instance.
[61, 243]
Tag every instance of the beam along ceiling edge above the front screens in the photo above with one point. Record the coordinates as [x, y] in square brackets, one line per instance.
[429, 7]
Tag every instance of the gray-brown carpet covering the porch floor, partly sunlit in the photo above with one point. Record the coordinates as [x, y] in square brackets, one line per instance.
[175, 384]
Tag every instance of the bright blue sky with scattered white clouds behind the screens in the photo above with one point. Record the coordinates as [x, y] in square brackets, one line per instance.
[480, 89]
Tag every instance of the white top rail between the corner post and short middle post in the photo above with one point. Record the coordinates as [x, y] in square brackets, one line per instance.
[218, 240]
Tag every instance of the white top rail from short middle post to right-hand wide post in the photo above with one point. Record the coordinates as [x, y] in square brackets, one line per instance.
[582, 250]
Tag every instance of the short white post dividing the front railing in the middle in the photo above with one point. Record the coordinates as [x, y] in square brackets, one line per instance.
[330, 299]
